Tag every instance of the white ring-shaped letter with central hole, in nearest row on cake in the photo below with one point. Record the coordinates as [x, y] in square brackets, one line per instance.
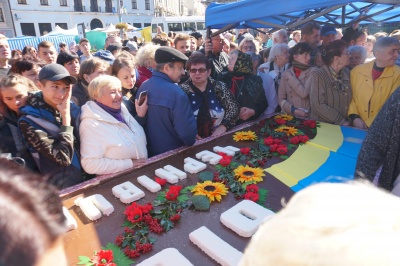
[245, 217]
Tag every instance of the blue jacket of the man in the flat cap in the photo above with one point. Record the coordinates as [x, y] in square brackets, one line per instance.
[170, 120]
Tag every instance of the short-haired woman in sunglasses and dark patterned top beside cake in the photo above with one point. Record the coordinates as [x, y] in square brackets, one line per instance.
[213, 104]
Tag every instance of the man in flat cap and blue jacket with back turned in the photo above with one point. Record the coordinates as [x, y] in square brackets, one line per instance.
[170, 120]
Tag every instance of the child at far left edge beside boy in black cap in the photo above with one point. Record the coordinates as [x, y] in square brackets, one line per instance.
[14, 92]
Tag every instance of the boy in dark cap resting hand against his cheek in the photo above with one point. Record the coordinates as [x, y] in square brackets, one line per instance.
[49, 124]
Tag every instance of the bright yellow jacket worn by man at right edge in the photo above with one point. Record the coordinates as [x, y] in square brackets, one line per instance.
[369, 94]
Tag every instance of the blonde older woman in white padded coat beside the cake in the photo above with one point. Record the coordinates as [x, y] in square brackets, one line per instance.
[111, 139]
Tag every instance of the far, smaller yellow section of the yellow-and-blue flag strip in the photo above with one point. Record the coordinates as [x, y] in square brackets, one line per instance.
[328, 137]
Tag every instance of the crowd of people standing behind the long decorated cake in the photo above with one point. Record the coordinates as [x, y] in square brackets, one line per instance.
[72, 113]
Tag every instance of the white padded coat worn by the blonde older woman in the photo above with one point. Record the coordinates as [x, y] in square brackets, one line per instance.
[108, 145]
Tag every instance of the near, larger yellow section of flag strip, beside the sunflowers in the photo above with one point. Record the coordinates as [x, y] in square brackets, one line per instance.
[303, 162]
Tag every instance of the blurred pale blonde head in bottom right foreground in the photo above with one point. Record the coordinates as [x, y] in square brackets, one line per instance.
[330, 224]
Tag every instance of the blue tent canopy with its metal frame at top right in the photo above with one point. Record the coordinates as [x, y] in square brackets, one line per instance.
[293, 13]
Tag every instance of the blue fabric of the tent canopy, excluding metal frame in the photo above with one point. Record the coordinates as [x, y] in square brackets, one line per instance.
[244, 14]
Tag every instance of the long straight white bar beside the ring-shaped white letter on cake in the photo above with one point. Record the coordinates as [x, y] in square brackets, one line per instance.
[215, 247]
